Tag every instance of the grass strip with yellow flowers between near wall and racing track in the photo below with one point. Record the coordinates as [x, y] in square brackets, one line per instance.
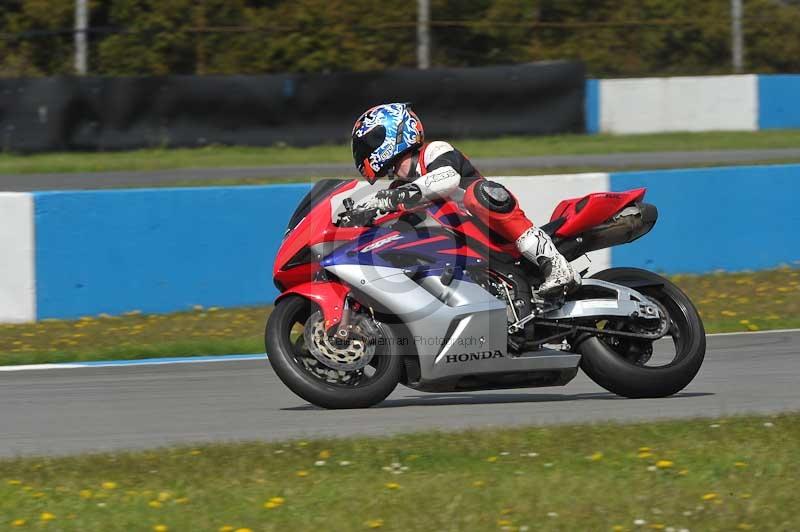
[727, 302]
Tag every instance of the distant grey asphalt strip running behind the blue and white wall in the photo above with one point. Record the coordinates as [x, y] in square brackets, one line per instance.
[615, 161]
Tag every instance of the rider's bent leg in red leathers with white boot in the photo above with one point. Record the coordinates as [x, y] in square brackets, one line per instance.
[497, 208]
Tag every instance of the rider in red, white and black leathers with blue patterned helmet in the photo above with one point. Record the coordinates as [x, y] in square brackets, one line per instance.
[388, 140]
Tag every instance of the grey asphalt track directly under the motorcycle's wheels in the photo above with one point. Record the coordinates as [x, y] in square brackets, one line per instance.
[63, 411]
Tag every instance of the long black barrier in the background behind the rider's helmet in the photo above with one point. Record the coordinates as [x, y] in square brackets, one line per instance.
[47, 114]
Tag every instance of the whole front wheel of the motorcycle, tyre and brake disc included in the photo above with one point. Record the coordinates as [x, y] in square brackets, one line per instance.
[357, 373]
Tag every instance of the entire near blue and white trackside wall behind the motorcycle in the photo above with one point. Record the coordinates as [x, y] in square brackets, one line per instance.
[160, 250]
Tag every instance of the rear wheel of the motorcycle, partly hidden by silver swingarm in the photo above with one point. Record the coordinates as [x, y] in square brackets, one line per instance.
[626, 367]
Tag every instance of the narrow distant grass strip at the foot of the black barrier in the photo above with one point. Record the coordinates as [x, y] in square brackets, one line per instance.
[222, 156]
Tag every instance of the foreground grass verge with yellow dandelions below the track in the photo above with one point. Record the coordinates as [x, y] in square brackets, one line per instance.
[728, 474]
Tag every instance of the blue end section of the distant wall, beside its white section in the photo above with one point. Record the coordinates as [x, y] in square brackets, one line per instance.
[779, 102]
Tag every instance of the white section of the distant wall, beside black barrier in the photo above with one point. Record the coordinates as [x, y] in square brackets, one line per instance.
[653, 105]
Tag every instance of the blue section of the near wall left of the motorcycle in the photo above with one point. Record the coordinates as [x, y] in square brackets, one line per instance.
[158, 250]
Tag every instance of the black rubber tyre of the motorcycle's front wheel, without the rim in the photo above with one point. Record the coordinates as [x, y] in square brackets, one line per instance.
[285, 357]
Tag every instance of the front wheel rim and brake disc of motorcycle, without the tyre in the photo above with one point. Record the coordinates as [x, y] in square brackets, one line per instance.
[355, 372]
